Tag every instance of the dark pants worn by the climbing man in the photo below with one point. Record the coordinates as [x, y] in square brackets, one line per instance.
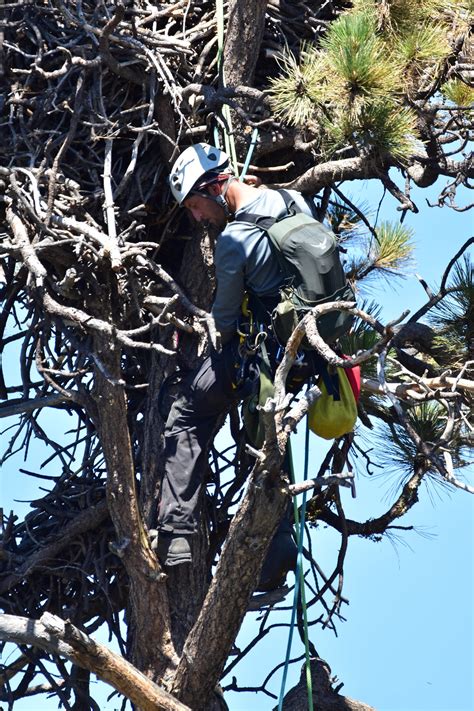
[189, 428]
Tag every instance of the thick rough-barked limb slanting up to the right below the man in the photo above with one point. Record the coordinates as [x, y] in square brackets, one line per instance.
[236, 575]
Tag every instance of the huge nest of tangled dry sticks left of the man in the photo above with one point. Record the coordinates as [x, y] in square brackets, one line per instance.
[99, 96]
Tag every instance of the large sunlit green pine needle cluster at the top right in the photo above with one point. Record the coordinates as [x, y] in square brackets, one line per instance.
[353, 92]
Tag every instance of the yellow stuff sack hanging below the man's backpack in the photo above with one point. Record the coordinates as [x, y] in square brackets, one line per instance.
[331, 418]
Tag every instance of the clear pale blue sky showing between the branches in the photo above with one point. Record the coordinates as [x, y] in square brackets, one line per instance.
[407, 644]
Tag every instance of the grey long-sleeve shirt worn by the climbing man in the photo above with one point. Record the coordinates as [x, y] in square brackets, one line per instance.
[244, 260]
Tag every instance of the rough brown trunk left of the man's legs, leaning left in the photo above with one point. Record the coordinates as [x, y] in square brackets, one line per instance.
[151, 646]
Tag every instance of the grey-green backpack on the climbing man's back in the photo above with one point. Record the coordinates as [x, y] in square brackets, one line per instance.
[308, 255]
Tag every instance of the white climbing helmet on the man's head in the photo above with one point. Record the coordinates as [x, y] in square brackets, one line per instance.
[191, 165]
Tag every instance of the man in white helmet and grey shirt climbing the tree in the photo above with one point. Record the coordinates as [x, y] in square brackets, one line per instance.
[245, 264]
